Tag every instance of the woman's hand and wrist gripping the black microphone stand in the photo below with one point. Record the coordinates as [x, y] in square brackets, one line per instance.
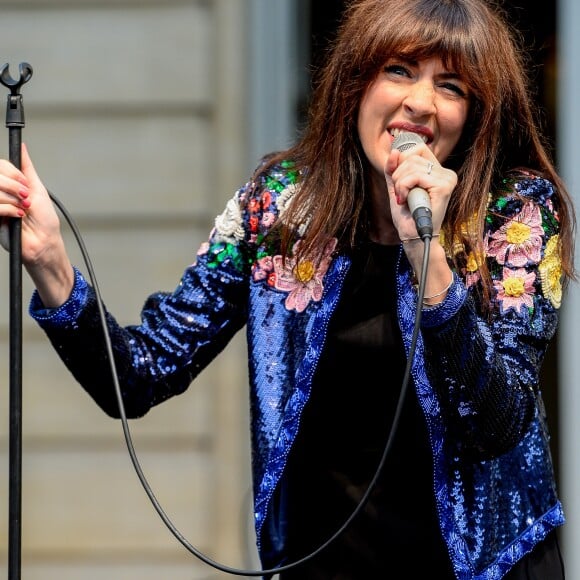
[24, 196]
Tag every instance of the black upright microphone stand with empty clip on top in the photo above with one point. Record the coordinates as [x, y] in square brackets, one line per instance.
[14, 123]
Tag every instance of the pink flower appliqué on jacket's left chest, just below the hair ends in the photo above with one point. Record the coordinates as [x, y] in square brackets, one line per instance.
[303, 280]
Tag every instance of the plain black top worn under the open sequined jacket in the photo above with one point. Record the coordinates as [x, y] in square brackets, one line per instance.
[342, 437]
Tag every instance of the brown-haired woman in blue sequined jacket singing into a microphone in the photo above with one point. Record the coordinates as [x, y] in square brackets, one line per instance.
[319, 256]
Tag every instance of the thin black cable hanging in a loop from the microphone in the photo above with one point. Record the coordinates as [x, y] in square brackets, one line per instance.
[128, 439]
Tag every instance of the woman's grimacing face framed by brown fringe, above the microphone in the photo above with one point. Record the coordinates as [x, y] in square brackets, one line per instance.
[423, 97]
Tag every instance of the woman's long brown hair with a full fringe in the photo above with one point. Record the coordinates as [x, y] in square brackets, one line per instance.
[501, 133]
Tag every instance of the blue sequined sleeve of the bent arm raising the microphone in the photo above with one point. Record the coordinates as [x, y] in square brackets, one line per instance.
[485, 365]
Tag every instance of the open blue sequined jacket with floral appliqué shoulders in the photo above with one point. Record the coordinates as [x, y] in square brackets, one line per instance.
[476, 375]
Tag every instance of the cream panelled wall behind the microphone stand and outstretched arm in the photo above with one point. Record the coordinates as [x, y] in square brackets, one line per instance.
[136, 119]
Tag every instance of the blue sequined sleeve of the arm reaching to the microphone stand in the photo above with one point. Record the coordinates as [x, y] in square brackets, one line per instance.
[180, 332]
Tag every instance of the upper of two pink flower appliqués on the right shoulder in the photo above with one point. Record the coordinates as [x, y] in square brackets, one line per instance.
[519, 241]
